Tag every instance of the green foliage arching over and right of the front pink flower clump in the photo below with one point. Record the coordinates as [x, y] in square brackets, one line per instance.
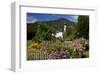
[68, 49]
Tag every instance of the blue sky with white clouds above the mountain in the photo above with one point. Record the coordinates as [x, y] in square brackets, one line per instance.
[35, 17]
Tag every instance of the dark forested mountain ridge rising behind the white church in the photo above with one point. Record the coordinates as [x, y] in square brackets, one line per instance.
[57, 24]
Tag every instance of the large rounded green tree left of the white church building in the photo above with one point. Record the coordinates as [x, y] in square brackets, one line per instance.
[43, 32]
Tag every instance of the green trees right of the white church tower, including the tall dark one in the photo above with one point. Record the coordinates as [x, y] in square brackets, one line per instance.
[80, 29]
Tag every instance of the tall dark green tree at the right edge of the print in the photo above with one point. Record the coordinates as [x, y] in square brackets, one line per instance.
[83, 26]
